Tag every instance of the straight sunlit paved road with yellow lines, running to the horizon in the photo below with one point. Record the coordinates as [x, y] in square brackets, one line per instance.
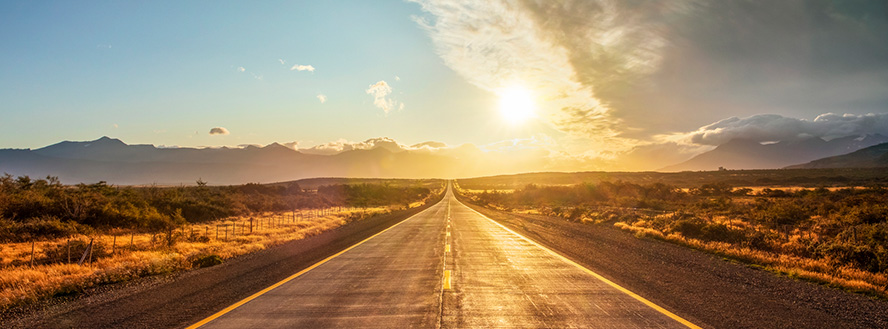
[447, 267]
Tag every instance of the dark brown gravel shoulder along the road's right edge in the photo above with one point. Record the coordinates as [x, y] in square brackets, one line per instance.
[703, 288]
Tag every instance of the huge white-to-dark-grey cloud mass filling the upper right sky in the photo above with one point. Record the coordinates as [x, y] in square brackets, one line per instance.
[620, 73]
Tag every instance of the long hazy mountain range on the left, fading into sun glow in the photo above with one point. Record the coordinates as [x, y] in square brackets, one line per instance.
[112, 160]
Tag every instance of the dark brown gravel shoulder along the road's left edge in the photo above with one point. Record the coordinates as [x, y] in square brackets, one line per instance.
[178, 300]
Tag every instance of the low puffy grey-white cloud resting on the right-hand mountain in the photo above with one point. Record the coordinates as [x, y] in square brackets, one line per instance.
[774, 127]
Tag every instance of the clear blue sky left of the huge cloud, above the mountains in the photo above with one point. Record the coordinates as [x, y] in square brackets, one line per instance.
[167, 72]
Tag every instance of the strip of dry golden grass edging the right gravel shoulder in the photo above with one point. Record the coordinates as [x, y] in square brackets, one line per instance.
[815, 270]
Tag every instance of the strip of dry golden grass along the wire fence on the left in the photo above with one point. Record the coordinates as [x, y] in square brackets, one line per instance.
[150, 255]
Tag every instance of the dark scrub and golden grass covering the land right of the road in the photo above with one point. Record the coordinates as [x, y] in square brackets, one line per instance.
[834, 236]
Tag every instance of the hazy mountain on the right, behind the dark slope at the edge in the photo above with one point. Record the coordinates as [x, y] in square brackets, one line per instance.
[748, 154]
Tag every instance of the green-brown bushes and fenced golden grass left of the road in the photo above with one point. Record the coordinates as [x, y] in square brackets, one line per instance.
[57, 240]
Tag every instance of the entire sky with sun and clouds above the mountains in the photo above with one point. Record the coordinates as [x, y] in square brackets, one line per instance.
[612, 85]
